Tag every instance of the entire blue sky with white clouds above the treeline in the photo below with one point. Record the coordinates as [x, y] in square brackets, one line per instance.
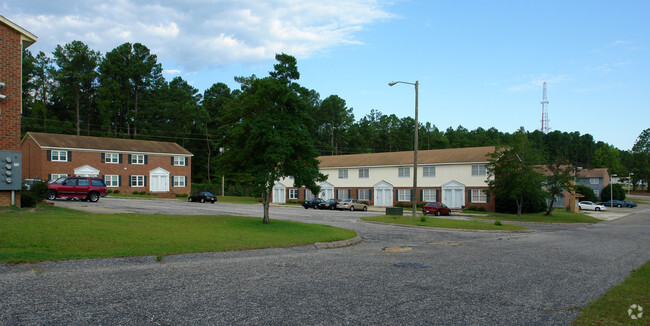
[479, 63]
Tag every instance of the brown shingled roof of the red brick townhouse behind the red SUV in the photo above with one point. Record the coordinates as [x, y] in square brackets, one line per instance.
[102, 144]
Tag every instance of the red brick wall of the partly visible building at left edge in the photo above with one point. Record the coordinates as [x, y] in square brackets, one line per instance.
[11, 75]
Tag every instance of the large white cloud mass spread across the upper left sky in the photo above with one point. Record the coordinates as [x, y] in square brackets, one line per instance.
[196, 34]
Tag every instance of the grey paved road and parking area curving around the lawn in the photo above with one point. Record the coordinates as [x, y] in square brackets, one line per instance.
[470, 278]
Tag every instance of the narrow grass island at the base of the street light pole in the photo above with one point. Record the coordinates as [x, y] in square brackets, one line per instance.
[442, 223]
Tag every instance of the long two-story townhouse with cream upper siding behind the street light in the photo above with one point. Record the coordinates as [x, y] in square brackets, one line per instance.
[456, 177]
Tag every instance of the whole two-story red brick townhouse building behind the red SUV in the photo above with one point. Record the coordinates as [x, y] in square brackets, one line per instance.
[126, 165]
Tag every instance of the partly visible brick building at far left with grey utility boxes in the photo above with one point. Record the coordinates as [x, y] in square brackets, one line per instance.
[13, 40]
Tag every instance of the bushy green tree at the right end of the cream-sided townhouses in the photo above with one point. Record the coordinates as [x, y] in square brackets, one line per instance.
[512, 173]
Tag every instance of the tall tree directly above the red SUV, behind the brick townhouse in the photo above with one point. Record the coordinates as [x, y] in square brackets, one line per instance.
[76, 74]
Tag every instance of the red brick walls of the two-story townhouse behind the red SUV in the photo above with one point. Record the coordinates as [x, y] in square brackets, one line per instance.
[36, 164]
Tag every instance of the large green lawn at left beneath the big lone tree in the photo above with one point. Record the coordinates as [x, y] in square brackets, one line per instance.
[51, 233]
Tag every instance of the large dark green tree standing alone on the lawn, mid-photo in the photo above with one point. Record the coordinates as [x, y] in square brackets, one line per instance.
[269, 135]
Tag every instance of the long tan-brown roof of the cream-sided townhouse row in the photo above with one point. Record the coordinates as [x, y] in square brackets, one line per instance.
[433, 156]
